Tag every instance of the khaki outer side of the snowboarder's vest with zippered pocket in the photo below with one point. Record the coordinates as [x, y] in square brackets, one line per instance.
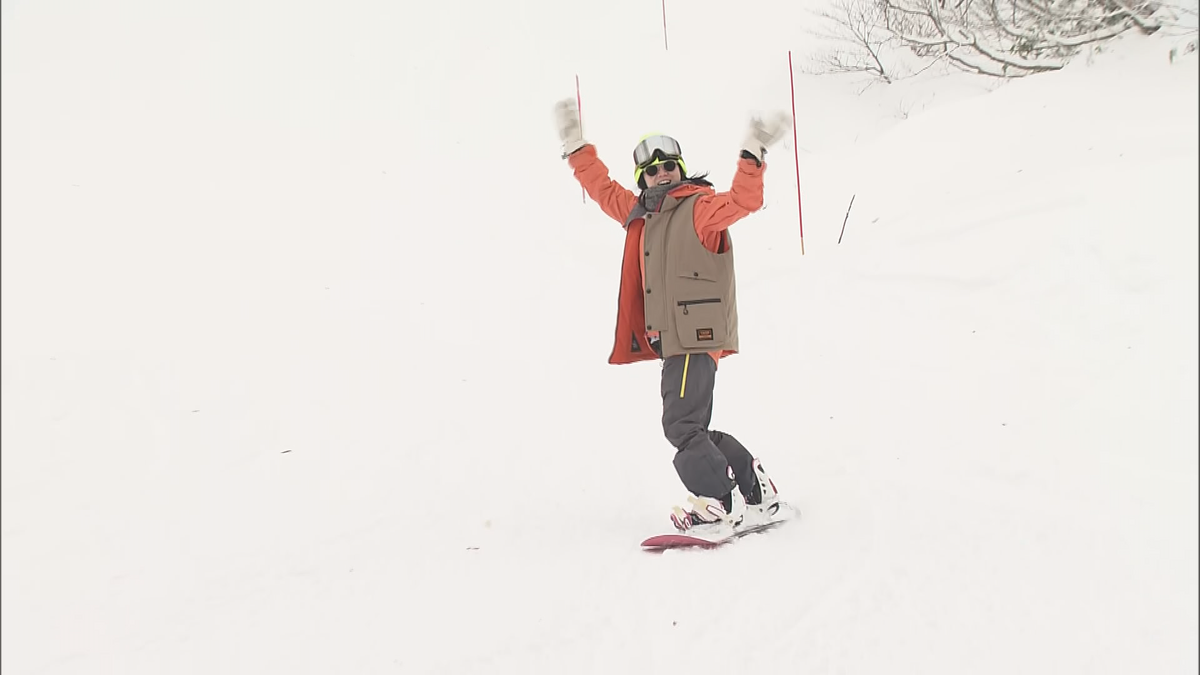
[689, 291]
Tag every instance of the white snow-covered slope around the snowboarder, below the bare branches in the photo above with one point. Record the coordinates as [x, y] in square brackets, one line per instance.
[305, 328]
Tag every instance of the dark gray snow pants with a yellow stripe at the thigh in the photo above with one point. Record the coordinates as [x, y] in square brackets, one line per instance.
[703, 457]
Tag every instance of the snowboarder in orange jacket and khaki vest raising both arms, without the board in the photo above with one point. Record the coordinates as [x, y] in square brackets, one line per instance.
[679, 301]
